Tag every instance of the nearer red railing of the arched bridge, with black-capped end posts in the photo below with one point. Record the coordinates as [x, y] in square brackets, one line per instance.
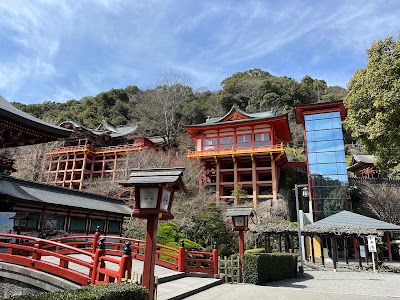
[32, 252]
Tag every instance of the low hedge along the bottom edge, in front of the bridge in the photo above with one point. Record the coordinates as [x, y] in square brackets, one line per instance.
[112, 291]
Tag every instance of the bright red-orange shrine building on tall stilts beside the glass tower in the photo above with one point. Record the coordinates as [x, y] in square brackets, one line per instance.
[241, 149]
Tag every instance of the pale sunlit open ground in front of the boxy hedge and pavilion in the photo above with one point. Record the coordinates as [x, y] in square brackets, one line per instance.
[315, 285]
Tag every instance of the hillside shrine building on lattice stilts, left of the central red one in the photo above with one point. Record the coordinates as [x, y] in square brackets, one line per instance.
[90, 154]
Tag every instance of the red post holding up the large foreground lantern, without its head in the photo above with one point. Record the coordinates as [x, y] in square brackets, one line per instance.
[149, 256]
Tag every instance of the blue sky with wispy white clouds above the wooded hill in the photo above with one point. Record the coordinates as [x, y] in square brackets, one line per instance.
[59, 50]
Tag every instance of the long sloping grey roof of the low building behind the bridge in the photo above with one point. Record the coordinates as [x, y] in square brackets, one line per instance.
[44, 194]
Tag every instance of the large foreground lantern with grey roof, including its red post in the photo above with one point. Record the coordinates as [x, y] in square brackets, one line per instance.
[154, 194]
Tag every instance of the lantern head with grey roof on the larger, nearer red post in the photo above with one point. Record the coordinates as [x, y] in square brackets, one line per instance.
[154, 191]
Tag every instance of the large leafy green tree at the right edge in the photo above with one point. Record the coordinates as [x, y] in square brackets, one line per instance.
[373, 103]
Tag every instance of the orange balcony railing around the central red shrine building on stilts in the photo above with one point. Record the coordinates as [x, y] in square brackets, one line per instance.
[236, 151]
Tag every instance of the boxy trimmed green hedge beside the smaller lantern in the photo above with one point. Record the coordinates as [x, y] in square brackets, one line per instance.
[263, 267]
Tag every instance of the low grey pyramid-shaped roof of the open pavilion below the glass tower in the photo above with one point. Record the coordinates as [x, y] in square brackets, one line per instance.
[347, 218]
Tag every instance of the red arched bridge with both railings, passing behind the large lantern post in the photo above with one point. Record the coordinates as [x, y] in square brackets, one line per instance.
[98, 259]
